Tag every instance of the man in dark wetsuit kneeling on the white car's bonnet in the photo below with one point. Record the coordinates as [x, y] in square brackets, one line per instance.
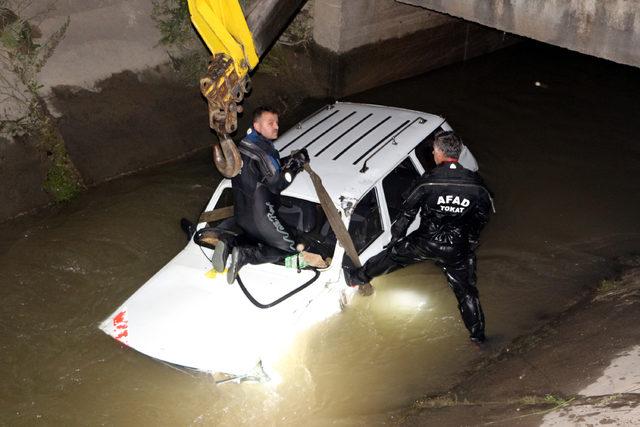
[256, 192]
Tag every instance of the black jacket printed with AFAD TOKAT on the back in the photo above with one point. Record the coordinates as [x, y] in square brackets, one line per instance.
[454, 206]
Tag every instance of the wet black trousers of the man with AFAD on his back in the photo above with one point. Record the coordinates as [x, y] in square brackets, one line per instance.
[458, 265]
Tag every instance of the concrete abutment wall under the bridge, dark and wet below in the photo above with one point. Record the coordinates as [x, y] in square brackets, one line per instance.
[372, 42]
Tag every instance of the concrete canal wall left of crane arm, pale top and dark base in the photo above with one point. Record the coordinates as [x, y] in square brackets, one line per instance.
[116, 109]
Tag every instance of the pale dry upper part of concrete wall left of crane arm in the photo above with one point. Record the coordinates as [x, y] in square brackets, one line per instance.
[104, 37]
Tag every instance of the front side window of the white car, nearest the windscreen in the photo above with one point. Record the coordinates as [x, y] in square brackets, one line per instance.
[366, 223]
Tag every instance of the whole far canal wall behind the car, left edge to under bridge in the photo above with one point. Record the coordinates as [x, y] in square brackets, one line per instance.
[119, 107]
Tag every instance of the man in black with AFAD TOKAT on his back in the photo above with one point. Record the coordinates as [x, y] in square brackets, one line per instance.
[454, 206]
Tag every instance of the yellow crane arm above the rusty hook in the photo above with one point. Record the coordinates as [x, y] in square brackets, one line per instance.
[222, 26]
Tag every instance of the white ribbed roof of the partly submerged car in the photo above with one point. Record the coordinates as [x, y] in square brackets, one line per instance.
[352, 146]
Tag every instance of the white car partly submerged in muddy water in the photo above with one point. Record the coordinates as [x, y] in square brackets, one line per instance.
[188, 315]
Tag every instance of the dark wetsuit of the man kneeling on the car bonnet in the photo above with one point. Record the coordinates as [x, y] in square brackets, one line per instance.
[256, 192]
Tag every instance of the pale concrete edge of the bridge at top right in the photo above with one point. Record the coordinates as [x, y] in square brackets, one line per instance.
[607, 29]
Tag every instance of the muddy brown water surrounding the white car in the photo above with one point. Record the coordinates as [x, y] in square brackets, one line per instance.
[561, 155]
